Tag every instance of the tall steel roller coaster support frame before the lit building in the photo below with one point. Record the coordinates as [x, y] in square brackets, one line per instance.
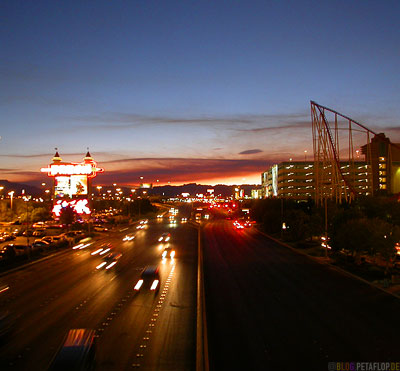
[334, 166]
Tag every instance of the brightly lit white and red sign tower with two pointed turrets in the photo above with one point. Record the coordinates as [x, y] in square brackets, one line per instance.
[72, 183]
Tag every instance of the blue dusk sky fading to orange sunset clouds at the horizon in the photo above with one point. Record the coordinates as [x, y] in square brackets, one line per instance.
[188, 91]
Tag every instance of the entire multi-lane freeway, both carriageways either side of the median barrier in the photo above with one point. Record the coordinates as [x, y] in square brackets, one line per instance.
[268, 307]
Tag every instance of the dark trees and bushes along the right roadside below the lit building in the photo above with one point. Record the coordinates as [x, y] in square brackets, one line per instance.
[362, 235]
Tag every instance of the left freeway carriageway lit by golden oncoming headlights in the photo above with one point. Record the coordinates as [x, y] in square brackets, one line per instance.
[135, 330]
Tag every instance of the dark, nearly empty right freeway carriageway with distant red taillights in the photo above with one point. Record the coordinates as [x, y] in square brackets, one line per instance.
[270, 308]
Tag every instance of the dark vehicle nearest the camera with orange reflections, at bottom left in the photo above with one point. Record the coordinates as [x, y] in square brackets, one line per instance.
[77, 353]
